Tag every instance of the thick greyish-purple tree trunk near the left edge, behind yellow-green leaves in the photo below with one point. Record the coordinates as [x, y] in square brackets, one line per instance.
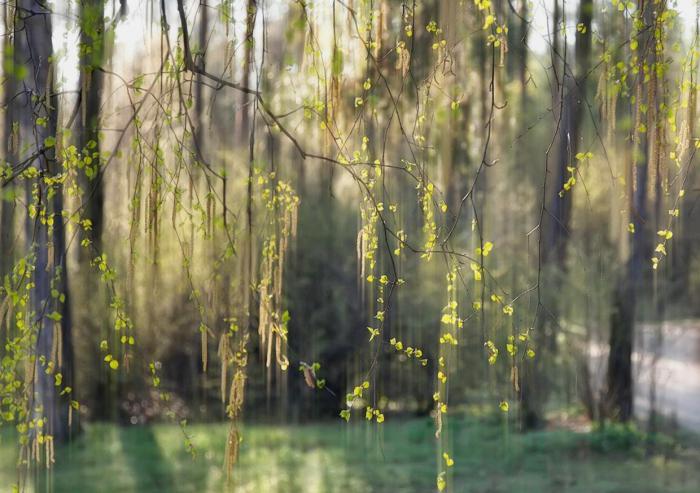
[54, 344]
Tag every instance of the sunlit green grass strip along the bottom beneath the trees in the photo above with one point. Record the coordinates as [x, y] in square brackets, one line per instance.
[398, 456]
